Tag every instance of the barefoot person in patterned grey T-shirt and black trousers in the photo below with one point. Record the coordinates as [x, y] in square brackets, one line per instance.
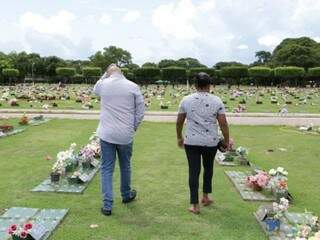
[202, 111]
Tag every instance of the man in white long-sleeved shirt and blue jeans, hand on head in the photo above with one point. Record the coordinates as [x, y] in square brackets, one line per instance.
[122, 111]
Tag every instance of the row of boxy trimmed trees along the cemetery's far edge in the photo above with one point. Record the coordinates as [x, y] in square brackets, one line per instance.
[231, 75]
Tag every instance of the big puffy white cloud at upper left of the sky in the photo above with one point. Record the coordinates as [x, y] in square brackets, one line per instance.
[59, 24]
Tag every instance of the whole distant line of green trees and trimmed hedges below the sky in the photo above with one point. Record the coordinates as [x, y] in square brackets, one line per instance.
[294, 62]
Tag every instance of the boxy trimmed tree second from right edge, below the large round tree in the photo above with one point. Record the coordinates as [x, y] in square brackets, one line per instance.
[289, 74]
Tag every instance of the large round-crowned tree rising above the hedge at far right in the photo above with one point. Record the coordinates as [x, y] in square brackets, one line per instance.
[301, 52]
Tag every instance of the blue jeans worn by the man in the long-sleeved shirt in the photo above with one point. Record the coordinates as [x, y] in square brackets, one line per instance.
[109, 151]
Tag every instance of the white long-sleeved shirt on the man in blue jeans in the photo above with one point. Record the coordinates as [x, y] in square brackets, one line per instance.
[122, 109]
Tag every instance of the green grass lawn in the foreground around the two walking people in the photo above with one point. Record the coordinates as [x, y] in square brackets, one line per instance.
[160, 176]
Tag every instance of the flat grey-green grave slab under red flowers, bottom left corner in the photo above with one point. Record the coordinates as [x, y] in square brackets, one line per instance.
[44, 221]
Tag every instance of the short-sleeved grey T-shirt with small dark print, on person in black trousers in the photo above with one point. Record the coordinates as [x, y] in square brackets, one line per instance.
[202, 110]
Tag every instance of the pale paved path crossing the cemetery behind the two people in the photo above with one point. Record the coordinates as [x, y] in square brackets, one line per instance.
[233, 118]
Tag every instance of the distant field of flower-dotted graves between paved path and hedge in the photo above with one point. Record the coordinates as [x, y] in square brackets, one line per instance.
[163, 98]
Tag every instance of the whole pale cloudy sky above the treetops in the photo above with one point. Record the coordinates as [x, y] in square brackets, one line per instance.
[210, 30]
